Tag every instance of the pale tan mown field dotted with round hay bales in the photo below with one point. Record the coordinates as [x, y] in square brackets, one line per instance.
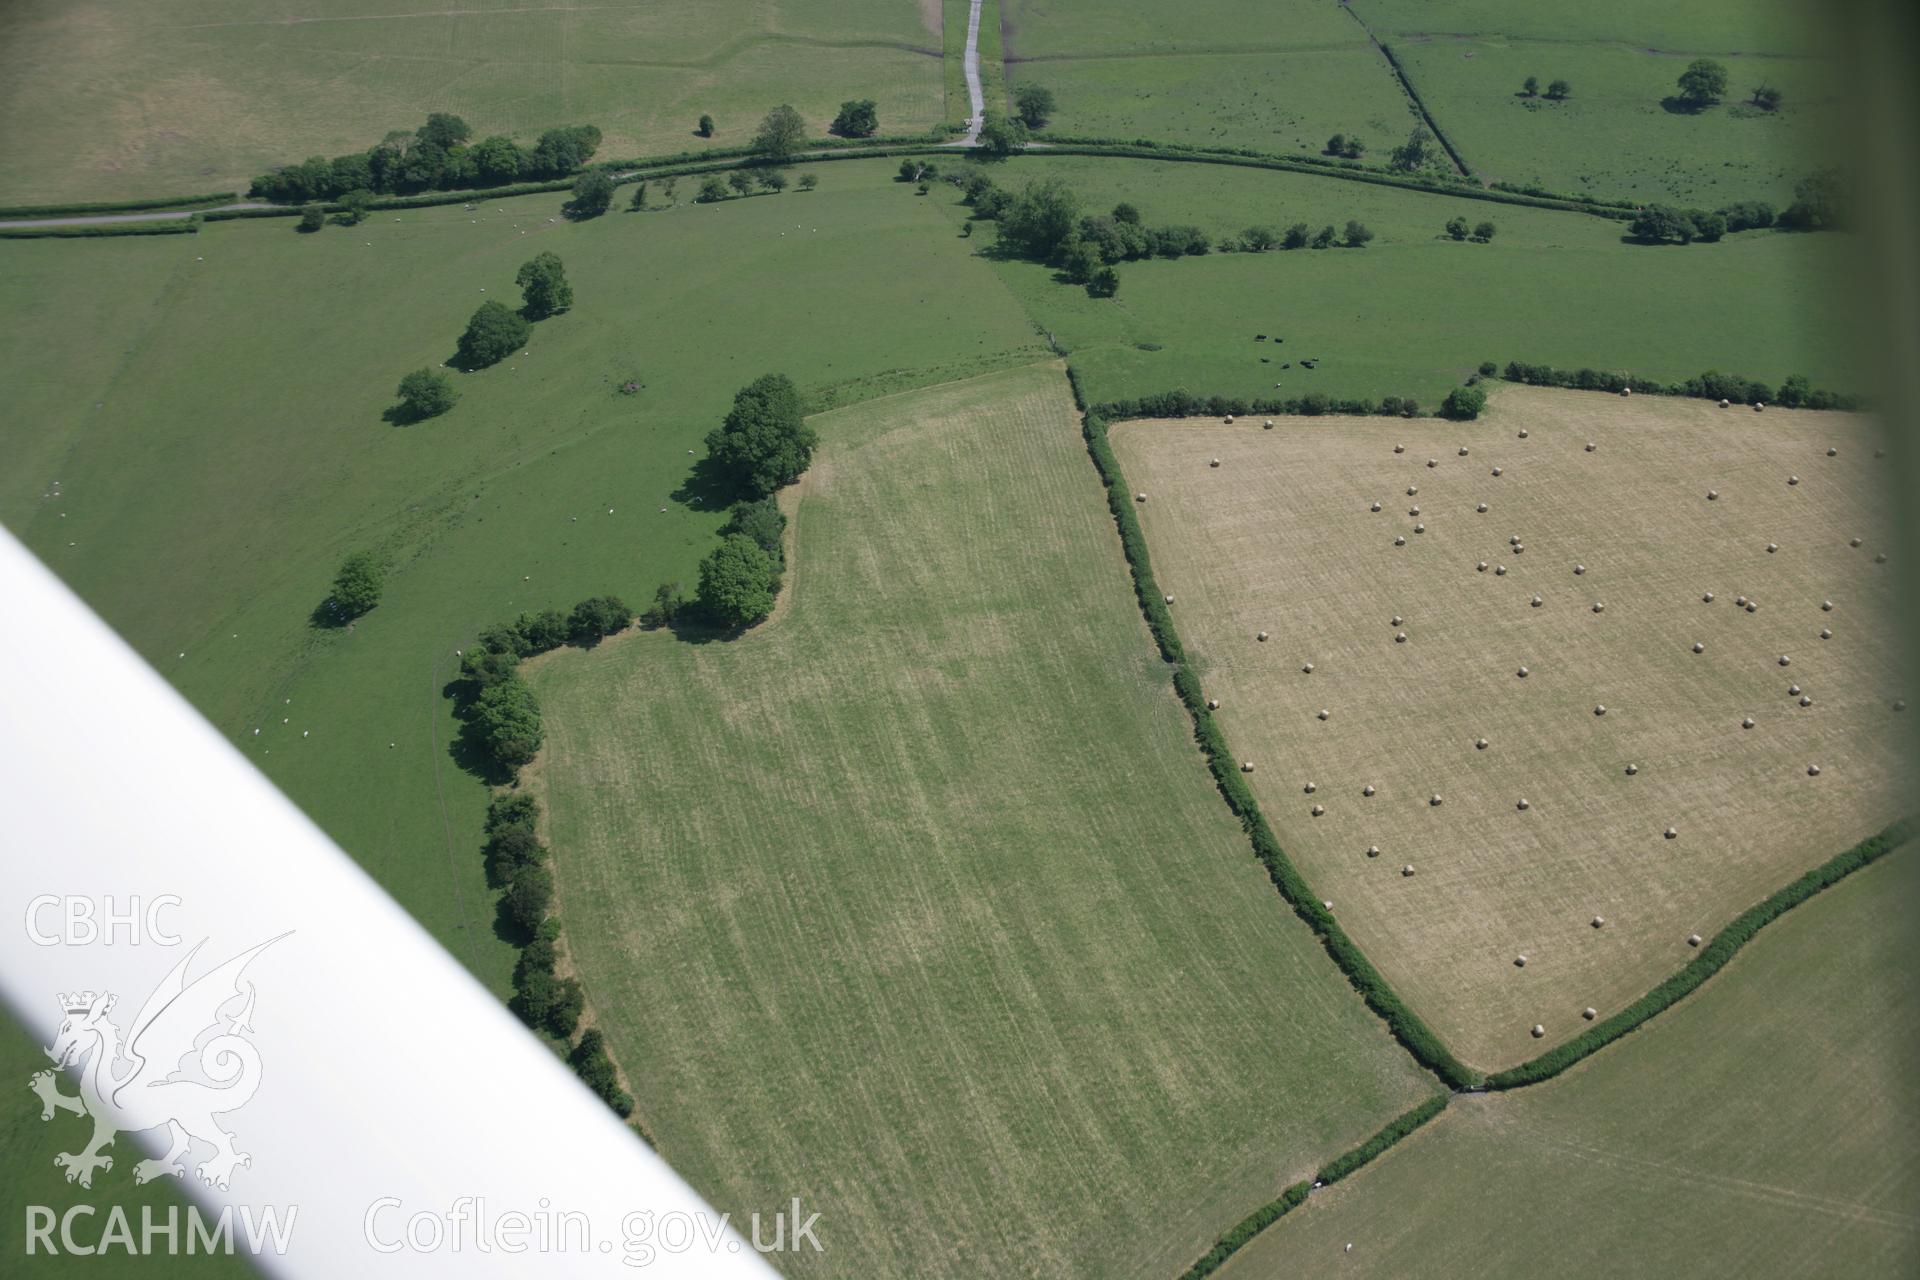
[1282, 538]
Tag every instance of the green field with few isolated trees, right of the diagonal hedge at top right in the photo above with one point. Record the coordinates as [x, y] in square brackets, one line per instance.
[1614, 137]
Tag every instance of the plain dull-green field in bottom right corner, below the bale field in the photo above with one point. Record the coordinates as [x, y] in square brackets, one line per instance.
[1767, 1126]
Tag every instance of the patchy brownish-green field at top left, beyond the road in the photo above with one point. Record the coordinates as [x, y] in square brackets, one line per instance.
[110, 101]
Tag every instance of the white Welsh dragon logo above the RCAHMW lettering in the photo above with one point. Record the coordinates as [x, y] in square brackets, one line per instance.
[143, 1081]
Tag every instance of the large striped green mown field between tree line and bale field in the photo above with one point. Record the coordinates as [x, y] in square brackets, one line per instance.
[917, 901]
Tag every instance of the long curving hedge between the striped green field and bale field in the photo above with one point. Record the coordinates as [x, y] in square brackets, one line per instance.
[1403, 1022]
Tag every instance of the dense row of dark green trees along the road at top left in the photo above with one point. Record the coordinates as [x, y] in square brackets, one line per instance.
[437, 156]
